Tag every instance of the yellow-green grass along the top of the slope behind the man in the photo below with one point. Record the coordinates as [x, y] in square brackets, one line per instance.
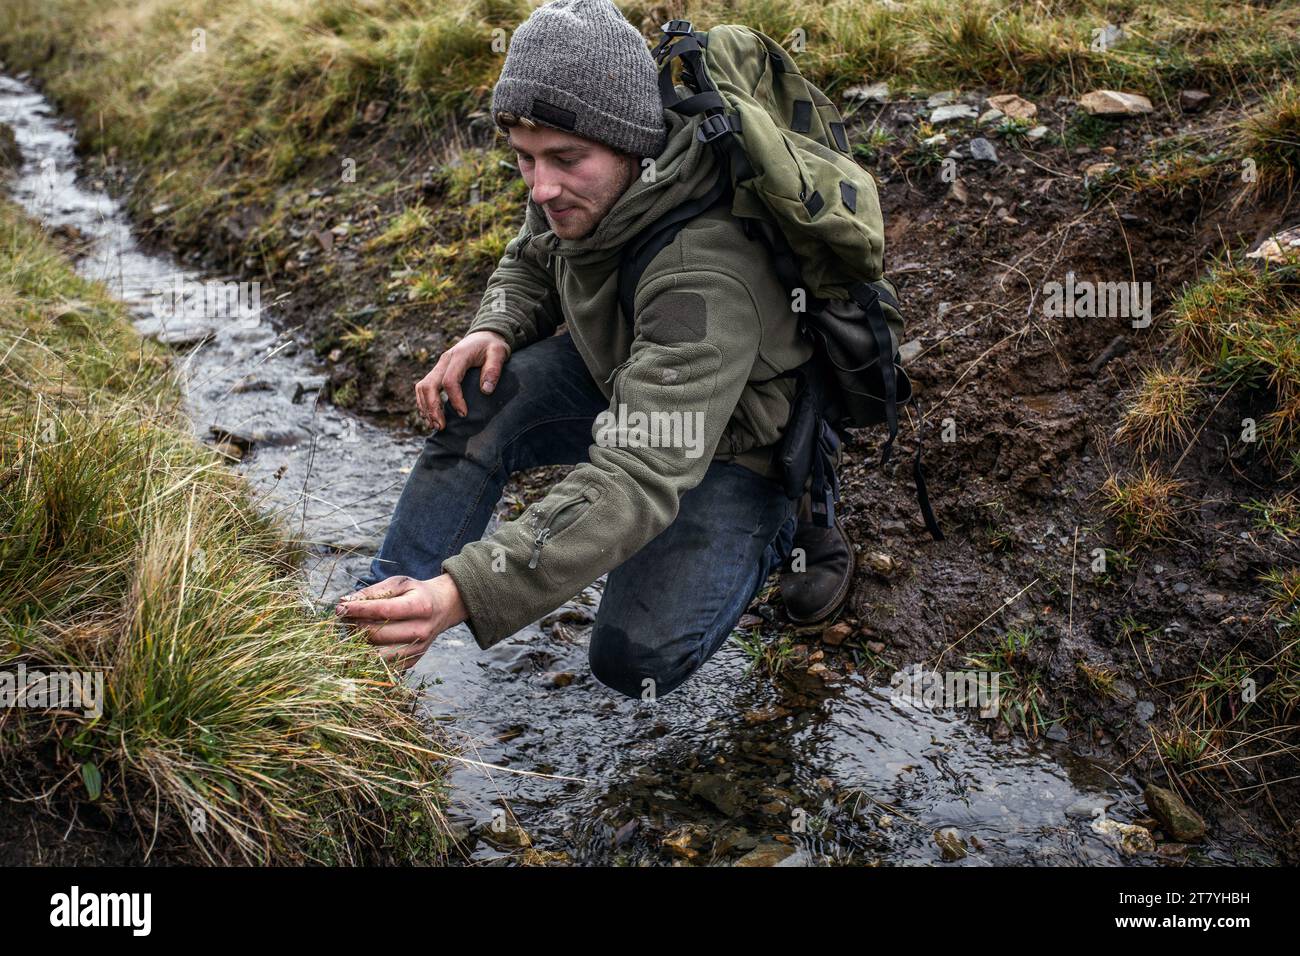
[279, 90]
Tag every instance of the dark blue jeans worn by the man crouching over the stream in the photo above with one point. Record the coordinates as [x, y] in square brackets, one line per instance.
[665, 611]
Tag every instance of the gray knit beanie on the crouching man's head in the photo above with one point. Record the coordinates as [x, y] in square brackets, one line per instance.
[580, 67]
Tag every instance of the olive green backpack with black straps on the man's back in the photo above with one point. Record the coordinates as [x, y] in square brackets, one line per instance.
[791, 179]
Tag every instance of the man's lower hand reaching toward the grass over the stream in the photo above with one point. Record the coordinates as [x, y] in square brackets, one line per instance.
[402, 616]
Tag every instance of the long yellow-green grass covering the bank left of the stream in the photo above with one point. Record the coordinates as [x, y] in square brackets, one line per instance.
[235, 720]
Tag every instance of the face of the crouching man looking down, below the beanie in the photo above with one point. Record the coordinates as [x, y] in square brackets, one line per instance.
[577, 181]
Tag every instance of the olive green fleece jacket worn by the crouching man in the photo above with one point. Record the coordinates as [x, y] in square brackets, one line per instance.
[712, 331]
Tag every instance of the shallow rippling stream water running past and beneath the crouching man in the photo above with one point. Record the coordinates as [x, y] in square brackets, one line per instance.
[723, 765]
